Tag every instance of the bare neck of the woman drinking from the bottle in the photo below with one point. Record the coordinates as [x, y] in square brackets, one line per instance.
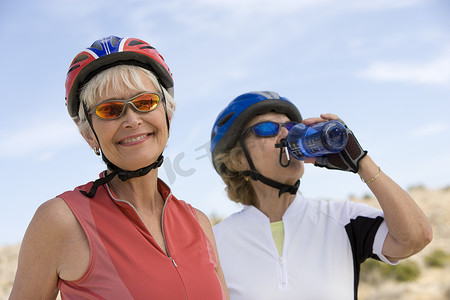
[268, 202]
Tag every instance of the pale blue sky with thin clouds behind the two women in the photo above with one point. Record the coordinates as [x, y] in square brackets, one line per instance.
[383, 66]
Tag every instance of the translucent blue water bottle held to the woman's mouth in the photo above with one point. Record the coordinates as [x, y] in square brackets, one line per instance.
[316, 140]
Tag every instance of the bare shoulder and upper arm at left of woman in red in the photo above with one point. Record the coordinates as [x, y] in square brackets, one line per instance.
[47, 244]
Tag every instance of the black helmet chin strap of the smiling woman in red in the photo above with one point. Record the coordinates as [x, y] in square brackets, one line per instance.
[122, 174]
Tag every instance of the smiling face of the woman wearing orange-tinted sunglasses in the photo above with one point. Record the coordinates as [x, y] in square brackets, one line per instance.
[135, 139]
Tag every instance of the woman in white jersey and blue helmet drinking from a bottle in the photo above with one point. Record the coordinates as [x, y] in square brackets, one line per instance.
[283, 245]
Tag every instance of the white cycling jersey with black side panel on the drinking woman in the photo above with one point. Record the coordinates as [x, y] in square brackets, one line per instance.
[325, 243]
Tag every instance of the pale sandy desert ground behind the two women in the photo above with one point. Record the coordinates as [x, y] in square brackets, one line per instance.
[433, 283]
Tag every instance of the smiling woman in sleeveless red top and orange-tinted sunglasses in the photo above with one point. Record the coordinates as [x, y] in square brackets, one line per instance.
[124, 235]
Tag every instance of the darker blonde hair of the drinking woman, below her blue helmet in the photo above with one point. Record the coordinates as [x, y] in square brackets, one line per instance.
[238, 188]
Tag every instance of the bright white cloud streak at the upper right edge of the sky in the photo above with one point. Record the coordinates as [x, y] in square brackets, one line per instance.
[436, 71]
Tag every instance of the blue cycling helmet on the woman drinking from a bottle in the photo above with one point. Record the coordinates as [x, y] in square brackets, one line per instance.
[230, 123]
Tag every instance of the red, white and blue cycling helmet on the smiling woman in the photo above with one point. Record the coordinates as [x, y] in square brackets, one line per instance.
[109, 52]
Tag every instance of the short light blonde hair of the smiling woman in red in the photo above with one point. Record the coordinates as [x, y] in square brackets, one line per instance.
[115, 79]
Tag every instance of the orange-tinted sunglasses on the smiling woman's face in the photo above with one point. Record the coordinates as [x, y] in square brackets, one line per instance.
[113, 109]
